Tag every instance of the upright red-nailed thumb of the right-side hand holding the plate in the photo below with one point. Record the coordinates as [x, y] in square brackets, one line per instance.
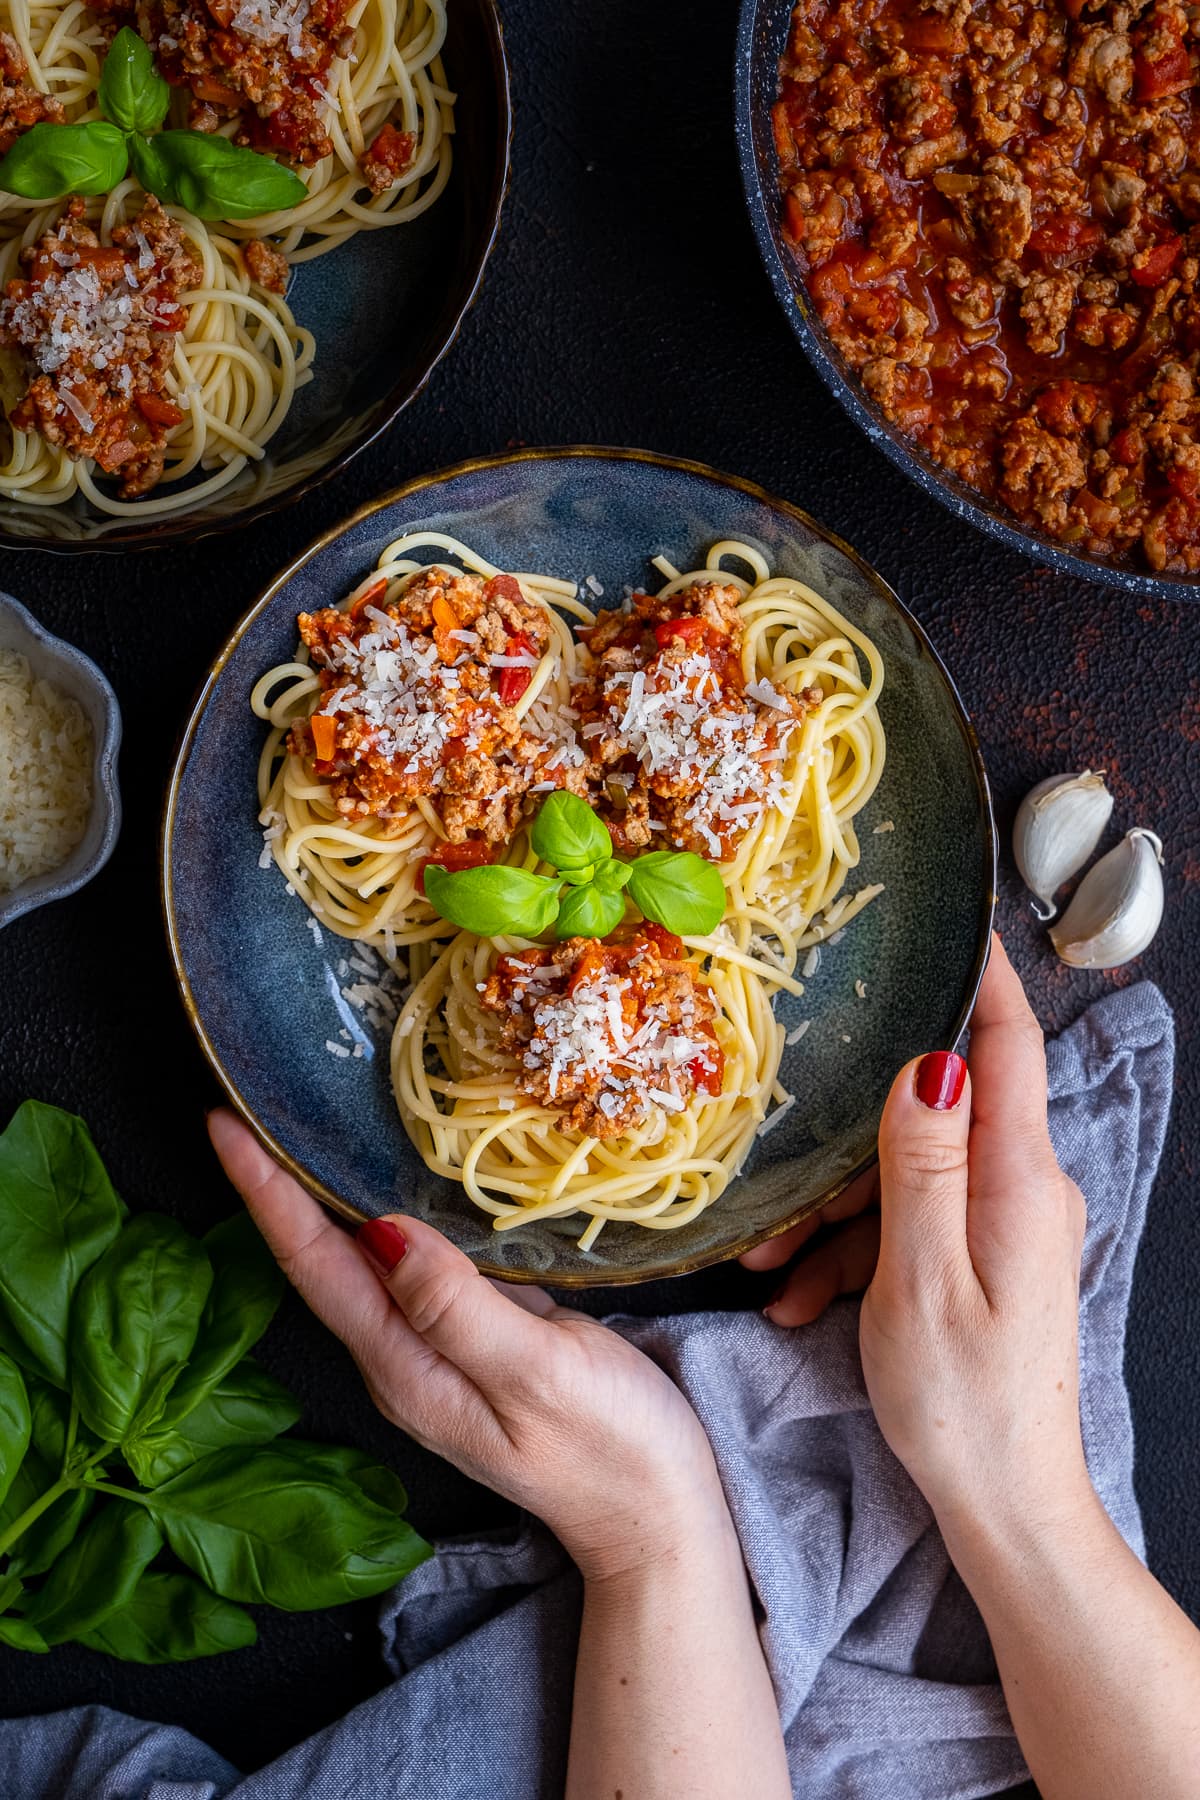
[924, 1138]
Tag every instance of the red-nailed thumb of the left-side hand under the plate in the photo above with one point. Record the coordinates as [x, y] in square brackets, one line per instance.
[449, 1304]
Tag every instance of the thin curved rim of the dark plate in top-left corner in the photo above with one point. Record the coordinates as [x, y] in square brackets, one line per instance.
[181, 532]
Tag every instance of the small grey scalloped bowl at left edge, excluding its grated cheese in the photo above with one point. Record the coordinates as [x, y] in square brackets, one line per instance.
[76, 676]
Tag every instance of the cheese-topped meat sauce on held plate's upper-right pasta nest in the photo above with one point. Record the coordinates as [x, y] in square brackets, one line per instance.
[686, 751]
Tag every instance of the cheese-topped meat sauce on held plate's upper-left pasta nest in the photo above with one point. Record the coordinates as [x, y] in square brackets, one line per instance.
[418, 703]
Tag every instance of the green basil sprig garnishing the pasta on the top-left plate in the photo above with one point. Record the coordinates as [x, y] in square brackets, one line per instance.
[206, 174]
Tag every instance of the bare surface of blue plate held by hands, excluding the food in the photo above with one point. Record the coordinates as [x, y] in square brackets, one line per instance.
[265, 996]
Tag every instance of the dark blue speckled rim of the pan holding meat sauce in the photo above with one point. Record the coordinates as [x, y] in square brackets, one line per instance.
[762, 39]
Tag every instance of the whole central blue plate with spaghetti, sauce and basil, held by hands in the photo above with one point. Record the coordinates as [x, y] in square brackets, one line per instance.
[569, 849]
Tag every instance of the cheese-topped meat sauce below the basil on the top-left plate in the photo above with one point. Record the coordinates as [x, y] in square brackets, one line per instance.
[96, 327]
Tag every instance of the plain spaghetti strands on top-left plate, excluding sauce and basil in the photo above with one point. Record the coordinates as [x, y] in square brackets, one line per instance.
[242, 355]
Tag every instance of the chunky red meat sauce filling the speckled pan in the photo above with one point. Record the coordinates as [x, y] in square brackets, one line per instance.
[998, 215]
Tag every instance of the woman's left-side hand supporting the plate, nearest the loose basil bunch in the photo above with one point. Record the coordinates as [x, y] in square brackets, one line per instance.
[539, 1403]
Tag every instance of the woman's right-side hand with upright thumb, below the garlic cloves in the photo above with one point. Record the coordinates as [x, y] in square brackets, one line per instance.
[971, 1322]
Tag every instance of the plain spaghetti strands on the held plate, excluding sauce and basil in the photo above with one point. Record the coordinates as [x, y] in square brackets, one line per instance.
[463, 1093]
